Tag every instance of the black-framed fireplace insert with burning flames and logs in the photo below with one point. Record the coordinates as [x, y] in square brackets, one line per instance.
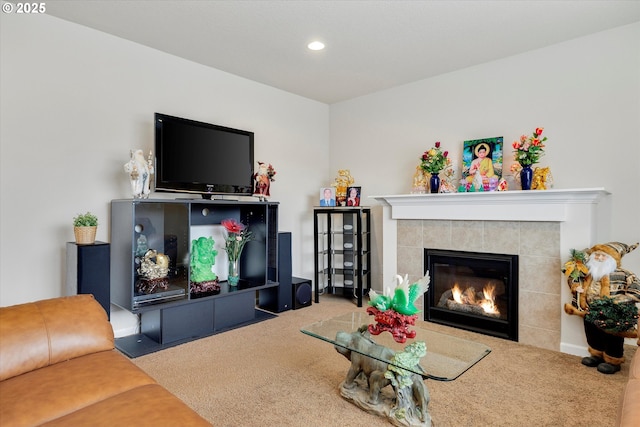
[473, 291]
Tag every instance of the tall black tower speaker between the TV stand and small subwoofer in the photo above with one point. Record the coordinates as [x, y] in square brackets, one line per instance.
[279, 299]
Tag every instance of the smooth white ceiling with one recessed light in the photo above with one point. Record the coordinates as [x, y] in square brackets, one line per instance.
[370, 45]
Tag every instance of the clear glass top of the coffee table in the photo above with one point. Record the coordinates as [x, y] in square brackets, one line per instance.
[446, 359]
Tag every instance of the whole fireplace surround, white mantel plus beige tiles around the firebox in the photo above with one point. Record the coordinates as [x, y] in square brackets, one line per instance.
[539, 226]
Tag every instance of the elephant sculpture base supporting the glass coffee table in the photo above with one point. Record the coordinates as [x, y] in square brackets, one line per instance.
[367, 378]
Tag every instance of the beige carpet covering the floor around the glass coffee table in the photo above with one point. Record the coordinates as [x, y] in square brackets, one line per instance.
[270, 374]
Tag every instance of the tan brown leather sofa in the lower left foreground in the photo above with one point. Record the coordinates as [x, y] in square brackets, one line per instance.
[58, 367]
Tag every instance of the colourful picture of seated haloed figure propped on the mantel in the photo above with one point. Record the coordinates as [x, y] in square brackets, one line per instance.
[481, 164]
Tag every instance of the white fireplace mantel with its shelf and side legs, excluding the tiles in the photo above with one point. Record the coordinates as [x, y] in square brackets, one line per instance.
[583, 214]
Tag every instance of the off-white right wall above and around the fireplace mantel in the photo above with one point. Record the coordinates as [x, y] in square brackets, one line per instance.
[585, 93]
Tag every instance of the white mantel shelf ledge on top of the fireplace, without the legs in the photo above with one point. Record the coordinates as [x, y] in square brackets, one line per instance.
[544, 205]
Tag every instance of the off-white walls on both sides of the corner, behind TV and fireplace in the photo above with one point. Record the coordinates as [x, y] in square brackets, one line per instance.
[74, 101]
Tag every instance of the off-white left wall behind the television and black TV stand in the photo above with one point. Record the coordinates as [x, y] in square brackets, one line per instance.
[75, 101]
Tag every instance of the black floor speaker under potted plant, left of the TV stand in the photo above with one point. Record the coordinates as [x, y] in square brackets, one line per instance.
[88, 272]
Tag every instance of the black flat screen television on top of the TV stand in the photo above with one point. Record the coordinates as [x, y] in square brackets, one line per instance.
[202, 158]
